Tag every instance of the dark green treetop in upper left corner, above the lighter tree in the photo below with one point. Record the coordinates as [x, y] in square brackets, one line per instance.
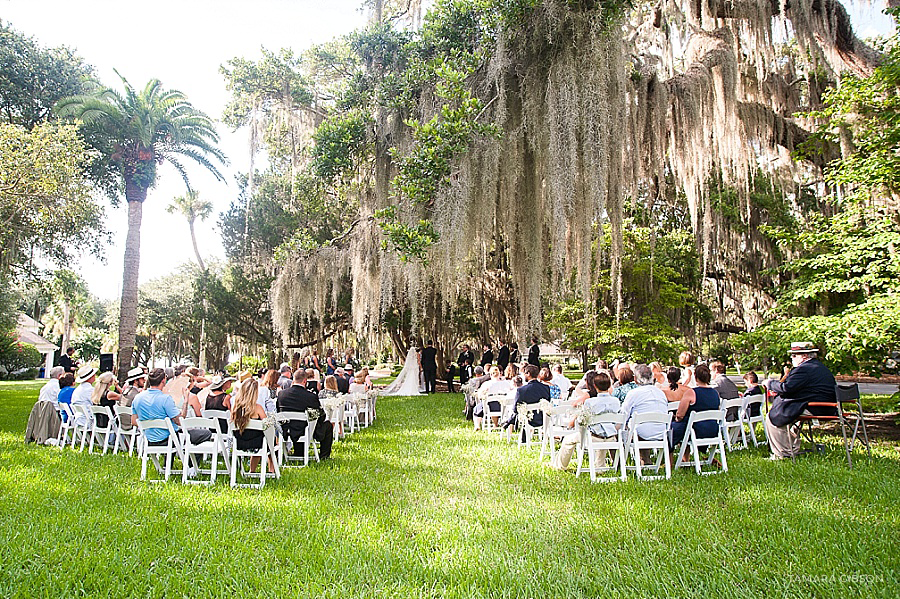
[33, 78]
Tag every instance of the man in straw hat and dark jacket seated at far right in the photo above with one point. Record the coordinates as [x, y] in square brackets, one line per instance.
[808, 380]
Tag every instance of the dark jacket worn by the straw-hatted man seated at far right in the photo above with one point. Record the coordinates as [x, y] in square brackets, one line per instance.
[811, 381]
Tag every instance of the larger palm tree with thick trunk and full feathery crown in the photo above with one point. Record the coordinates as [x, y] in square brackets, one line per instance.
[136, 132]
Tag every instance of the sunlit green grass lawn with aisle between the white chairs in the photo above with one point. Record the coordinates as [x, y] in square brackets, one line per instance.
[419, 505]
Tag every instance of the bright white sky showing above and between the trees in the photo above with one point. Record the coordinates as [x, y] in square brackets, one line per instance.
[183, 44]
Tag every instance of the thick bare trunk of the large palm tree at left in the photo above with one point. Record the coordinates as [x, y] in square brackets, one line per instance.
[135, 194]
